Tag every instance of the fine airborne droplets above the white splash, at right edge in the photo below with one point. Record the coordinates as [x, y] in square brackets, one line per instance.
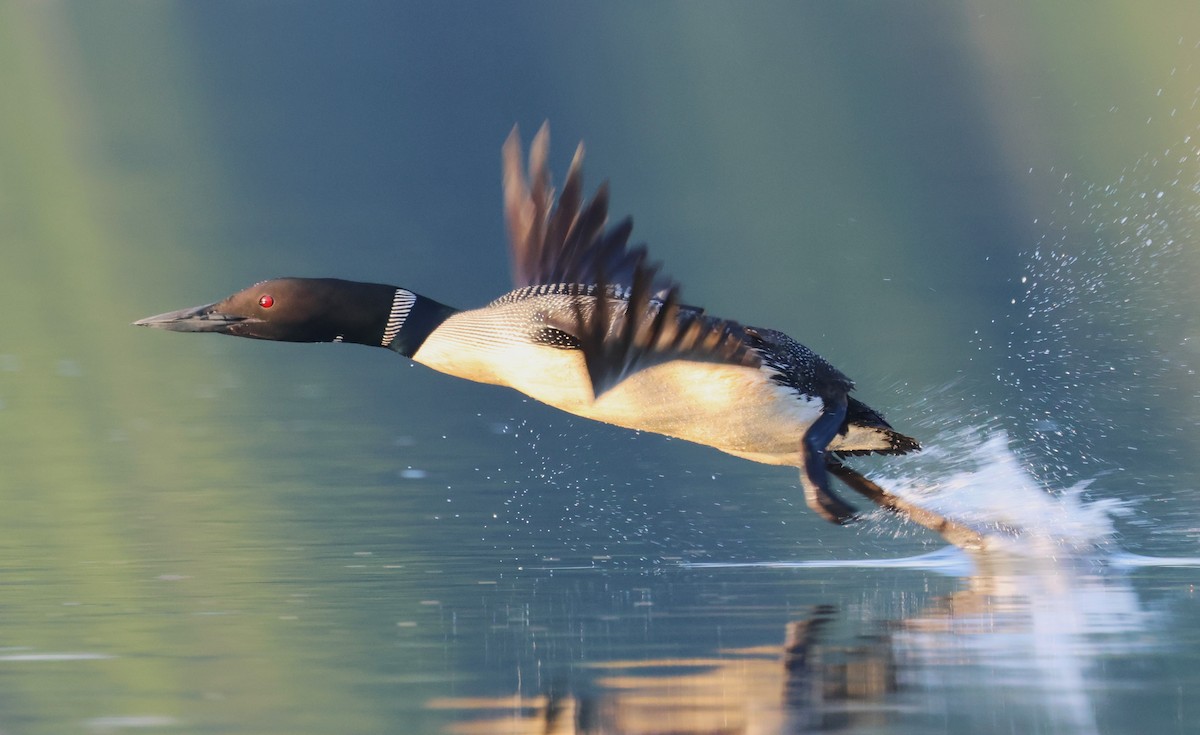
[1100, 357]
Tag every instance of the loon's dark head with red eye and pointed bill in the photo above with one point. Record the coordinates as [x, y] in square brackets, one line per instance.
[296, 310]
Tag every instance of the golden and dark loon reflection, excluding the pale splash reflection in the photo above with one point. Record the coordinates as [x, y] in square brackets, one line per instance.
[805, 685]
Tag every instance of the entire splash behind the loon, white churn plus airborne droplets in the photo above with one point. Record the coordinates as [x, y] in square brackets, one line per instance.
[1097, 371]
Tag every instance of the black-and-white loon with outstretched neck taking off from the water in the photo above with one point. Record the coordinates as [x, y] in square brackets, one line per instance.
[595, 330]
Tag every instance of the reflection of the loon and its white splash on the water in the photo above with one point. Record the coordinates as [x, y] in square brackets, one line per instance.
[1046, 624]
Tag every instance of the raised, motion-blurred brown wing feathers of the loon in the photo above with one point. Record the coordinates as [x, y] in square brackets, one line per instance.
[623, 313]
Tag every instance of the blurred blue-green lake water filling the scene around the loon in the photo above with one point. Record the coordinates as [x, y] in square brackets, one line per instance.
[986, 216]
